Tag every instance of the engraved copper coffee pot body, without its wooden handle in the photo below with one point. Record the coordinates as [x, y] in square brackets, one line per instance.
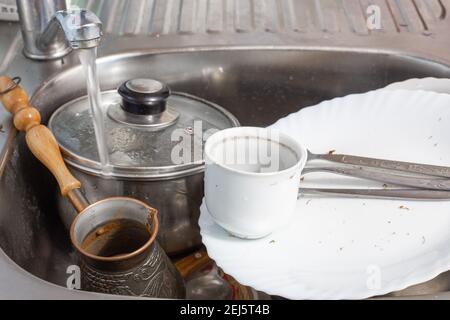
[116, 240]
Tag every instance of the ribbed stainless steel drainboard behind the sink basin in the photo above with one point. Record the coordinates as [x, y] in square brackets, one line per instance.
[218, 17]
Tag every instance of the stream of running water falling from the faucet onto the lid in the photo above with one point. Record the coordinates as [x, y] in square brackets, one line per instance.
[88, 61]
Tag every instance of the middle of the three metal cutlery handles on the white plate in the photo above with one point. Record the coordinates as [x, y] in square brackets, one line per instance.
[385, 176]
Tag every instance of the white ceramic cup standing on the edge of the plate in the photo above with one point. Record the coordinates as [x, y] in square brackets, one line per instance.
[252, 179]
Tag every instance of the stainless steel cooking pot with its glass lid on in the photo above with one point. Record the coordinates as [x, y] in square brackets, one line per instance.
[155, 142]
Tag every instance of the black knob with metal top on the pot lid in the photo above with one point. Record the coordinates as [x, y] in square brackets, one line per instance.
[144, 96]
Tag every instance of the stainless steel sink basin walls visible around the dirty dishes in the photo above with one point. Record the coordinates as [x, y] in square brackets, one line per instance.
[257, 85]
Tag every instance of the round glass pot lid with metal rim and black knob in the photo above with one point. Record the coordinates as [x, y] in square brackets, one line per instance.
[150, 132]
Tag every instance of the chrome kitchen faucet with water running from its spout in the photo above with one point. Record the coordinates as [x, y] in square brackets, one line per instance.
[51, 31]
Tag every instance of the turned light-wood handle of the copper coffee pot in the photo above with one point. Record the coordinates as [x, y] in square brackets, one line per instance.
[40, 139]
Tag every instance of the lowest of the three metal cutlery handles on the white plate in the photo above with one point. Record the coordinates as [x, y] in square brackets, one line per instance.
[405, 194]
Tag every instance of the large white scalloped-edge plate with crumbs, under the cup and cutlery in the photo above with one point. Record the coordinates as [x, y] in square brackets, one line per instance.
[339, 248]
